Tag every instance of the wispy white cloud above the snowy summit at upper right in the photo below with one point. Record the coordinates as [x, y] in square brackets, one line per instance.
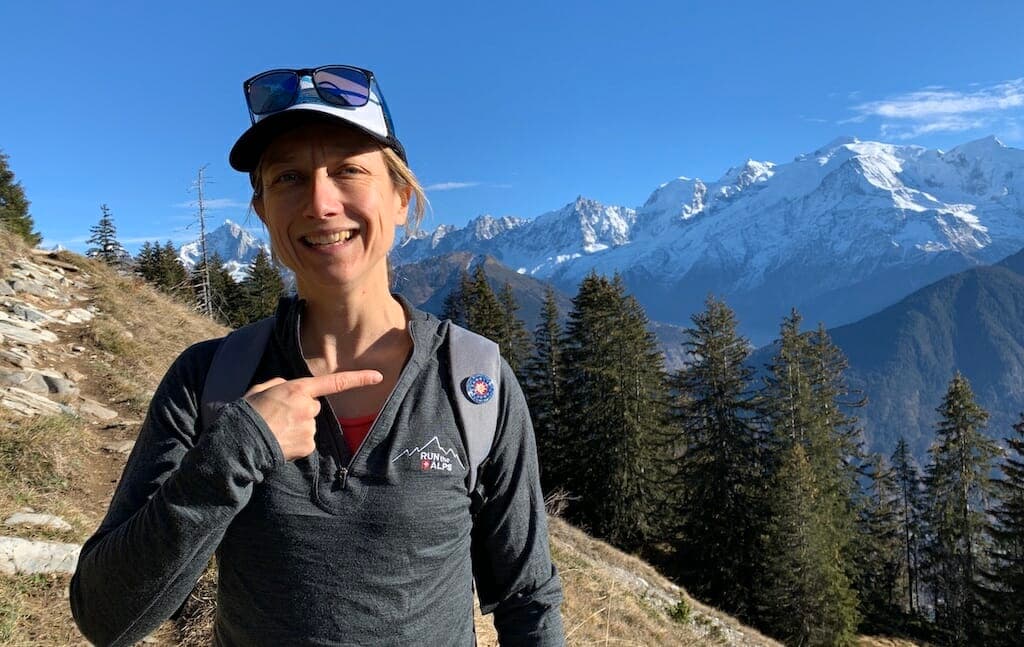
[937, 109]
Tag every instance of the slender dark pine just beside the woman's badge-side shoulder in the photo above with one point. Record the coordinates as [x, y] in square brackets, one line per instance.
[545, 389]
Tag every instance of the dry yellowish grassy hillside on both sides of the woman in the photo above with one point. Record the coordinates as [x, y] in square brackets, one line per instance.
[57, 465]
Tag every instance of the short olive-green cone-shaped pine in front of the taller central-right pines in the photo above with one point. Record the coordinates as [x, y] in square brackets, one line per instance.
[806, 599]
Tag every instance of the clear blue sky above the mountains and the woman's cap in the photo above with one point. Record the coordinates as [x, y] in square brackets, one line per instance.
[508, 109]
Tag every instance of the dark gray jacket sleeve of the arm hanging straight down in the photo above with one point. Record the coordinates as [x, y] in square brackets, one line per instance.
[513, 566]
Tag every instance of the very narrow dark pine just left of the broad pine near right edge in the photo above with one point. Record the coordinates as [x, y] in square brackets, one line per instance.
[909, 511]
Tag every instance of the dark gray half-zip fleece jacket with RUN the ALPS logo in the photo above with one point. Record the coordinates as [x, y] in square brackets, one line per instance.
[333, 549]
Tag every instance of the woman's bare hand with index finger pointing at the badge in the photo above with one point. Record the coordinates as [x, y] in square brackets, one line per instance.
[290, 407]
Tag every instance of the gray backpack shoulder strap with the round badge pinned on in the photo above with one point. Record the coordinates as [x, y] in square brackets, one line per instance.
[474, 356]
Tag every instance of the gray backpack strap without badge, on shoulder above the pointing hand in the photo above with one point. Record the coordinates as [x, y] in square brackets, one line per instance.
[233, 368]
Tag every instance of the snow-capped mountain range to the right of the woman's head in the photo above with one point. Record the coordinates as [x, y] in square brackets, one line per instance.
[839, 233]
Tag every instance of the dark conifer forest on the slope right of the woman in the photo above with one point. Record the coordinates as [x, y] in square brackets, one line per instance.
[751, 486]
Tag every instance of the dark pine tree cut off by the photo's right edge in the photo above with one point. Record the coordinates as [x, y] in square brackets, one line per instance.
[1006, 576]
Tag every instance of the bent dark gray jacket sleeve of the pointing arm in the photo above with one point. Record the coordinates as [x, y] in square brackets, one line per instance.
[180, 492]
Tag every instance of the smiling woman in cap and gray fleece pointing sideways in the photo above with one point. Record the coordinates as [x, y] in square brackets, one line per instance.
[328, 529]
